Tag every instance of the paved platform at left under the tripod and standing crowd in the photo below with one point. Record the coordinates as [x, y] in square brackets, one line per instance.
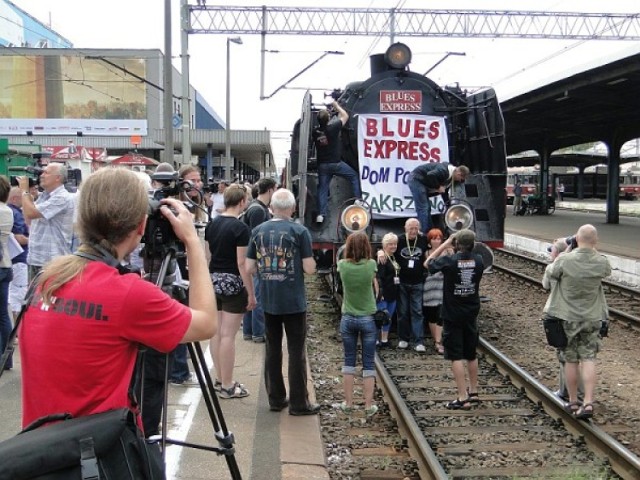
[268, 445]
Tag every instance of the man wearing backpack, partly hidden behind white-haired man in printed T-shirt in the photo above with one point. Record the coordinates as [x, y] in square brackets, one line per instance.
[256, 214]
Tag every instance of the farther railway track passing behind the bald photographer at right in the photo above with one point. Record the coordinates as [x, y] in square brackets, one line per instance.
[623, 302]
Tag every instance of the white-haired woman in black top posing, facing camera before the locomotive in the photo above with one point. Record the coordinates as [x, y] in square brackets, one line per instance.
[388, 280]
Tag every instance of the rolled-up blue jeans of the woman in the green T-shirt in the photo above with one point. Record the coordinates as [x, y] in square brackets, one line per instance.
[352, 327]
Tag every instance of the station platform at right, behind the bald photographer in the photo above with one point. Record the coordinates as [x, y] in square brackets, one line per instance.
[620, 242]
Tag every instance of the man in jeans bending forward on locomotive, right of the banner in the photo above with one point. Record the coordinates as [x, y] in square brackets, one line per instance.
[428, 180]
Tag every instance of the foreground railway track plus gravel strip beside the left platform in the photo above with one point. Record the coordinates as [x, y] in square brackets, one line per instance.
[520, 428]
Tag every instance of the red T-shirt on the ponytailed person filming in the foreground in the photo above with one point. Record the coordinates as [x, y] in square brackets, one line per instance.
[78, 354]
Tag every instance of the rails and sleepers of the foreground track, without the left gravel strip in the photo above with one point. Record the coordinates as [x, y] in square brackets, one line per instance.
[520, 428]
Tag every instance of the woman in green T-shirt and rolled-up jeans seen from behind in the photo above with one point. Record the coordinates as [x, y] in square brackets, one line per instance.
[360, 286]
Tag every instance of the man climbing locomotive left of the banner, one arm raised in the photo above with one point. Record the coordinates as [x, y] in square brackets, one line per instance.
[328, 152]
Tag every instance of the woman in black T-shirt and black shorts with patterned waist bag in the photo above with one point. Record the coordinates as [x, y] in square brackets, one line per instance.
[228, 238]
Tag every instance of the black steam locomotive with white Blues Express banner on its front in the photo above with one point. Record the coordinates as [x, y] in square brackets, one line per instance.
[397, 120]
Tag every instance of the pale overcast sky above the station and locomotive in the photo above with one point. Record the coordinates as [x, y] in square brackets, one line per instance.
[509, 65]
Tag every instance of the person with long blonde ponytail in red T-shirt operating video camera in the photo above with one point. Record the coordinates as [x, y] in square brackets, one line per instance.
[106, 316]
